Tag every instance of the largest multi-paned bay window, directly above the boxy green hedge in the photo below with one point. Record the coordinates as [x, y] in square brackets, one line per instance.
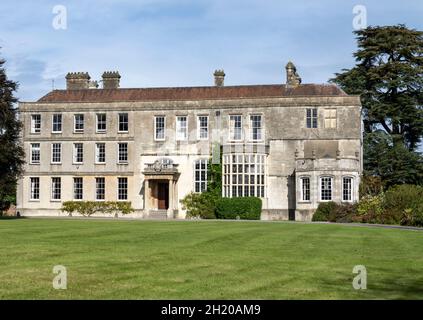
[243, 175]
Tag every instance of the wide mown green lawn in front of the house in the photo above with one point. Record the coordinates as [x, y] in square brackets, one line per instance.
[111, 259]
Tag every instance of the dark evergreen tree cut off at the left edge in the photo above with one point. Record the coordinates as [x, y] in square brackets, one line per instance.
[11, 151]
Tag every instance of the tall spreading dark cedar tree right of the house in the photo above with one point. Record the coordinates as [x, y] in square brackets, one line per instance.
[388, 76]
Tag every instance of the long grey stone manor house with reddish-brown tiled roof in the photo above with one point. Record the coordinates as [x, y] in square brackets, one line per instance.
[293, 145]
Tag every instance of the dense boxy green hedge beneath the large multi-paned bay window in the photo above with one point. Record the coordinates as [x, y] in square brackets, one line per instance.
[244, 208]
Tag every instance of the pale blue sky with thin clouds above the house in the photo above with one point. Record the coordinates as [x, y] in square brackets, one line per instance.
[180, 43]
